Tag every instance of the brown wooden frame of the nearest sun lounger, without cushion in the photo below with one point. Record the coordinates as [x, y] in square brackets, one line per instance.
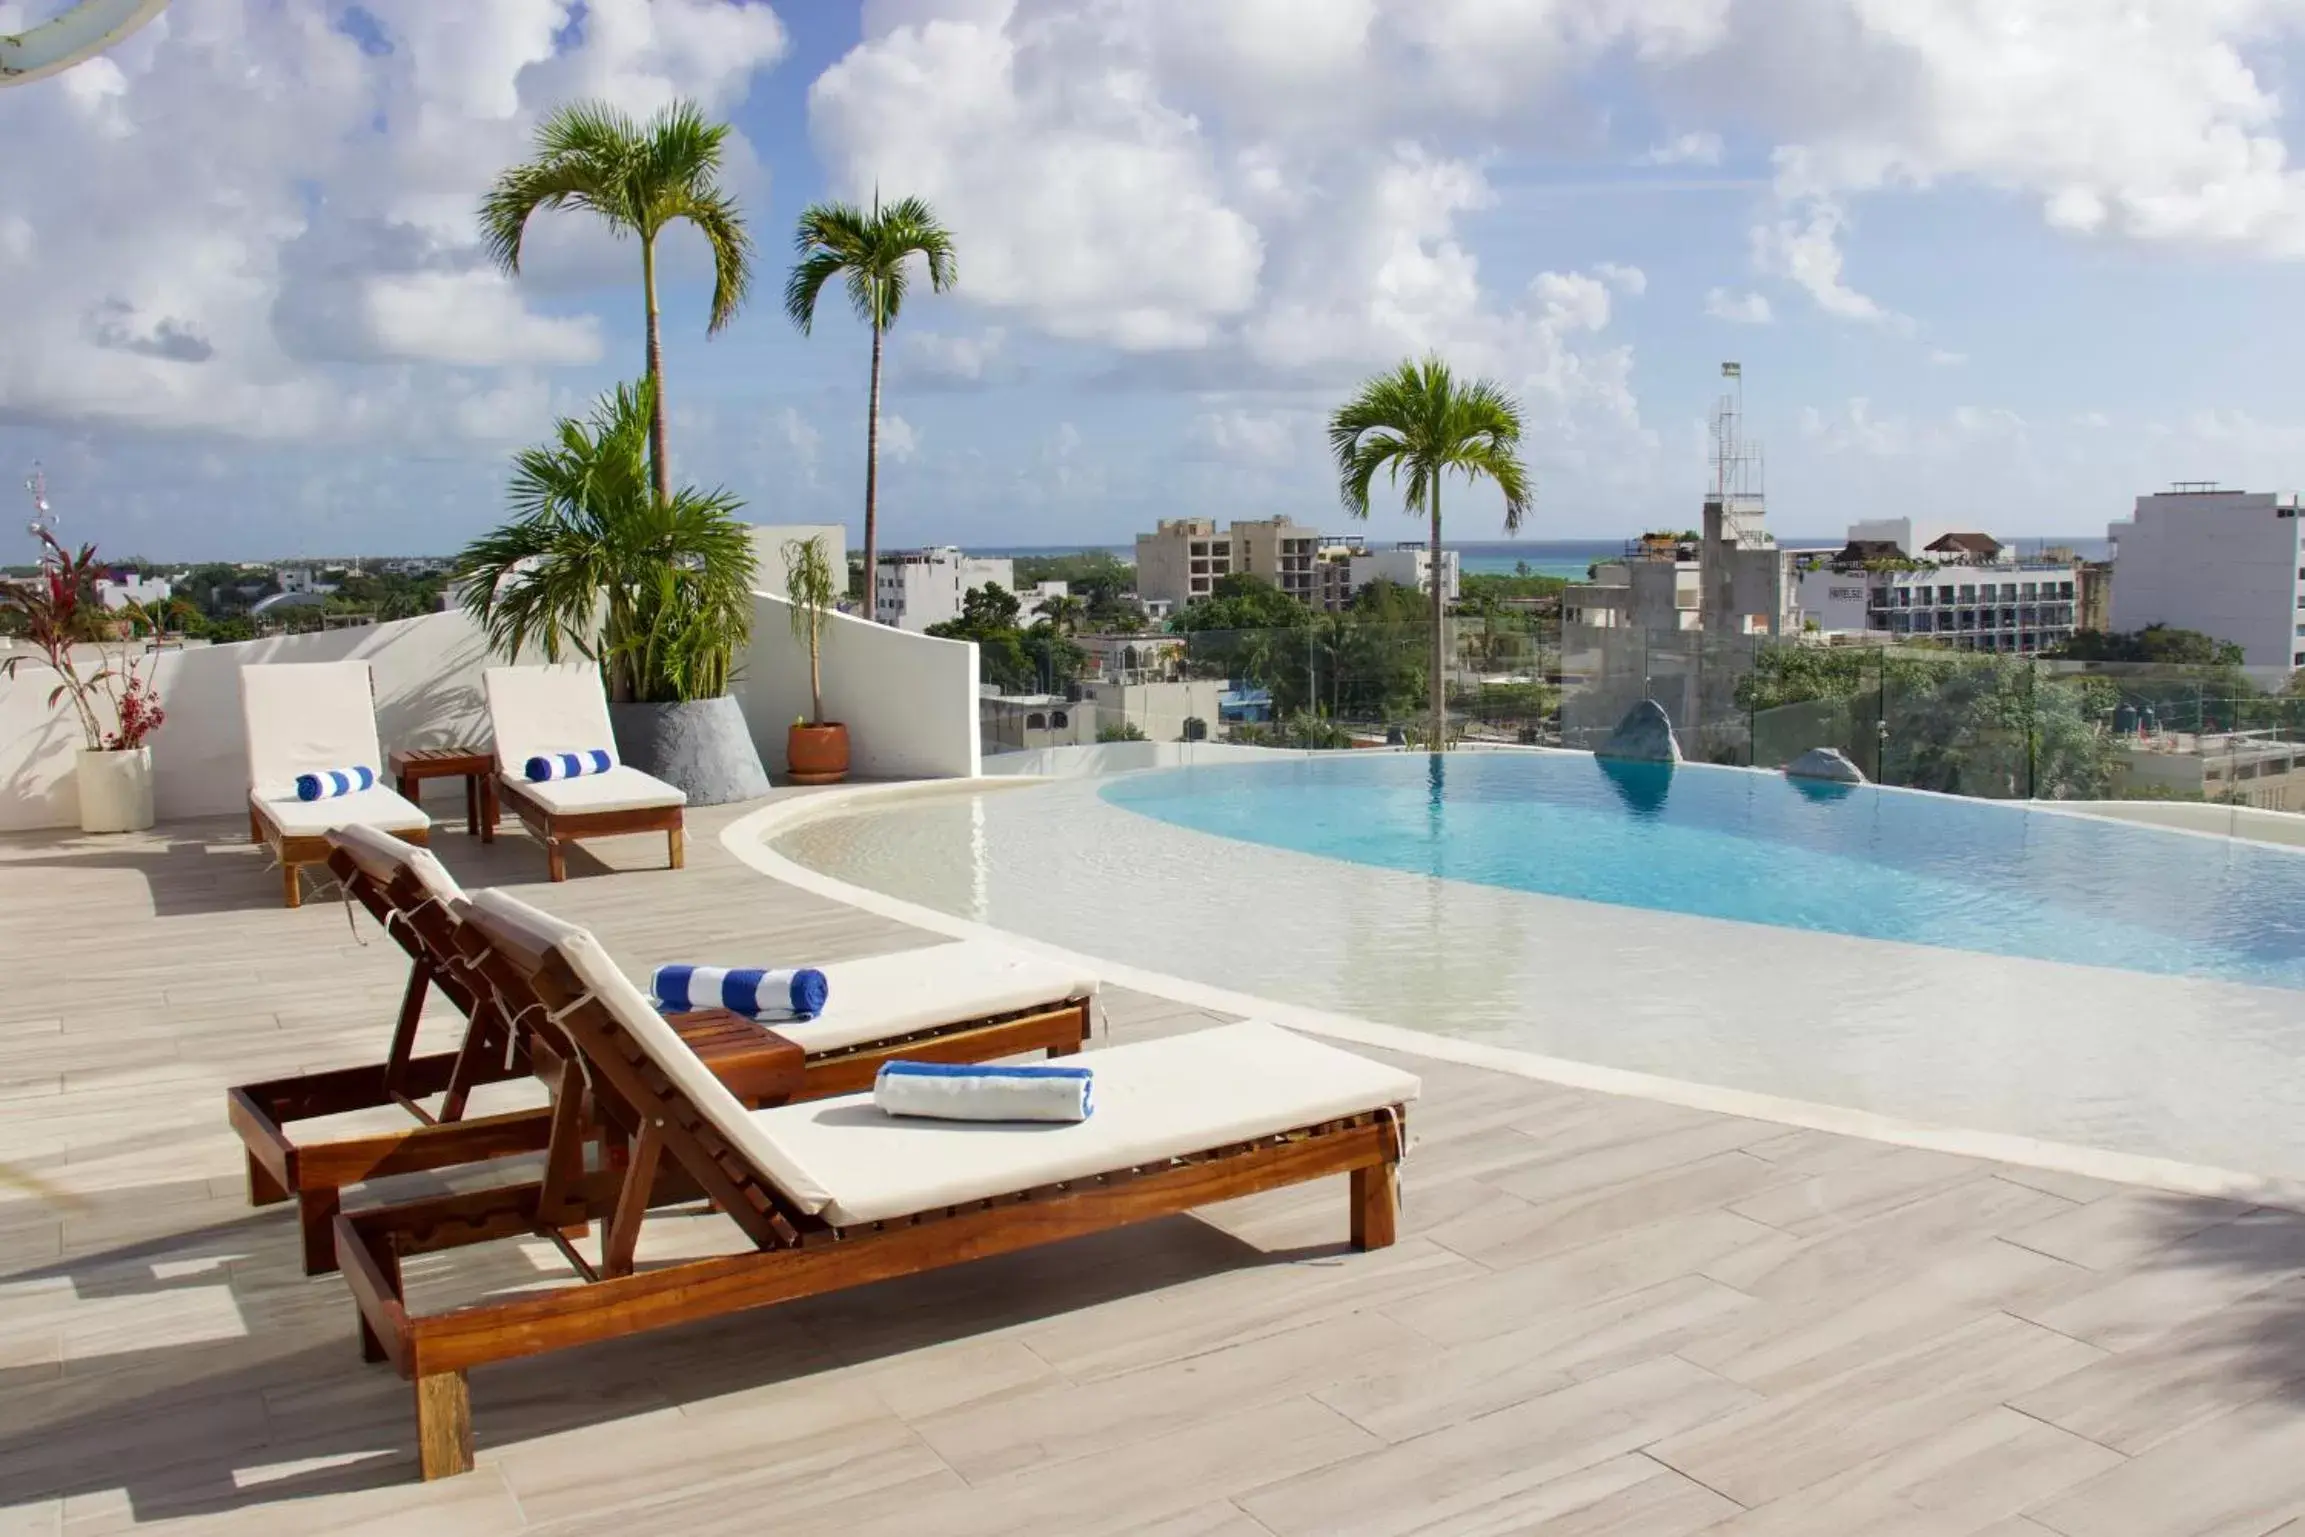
[674, 1149]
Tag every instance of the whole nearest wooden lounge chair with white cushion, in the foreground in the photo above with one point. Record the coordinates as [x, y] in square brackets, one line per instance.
[836, 1195]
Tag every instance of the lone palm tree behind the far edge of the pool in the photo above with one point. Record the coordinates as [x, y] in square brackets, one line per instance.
[1421, 423]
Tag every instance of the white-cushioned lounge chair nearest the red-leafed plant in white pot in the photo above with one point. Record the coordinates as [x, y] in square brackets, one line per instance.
[305, 718]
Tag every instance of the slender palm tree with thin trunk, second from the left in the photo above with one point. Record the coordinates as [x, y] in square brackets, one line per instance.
[870, 252]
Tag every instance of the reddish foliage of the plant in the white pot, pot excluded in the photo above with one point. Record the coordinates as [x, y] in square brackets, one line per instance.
[59, 612]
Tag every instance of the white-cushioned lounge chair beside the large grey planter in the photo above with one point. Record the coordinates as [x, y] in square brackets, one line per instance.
[541, 711]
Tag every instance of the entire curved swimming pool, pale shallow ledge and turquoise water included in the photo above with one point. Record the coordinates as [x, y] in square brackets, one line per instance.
[1958, 964]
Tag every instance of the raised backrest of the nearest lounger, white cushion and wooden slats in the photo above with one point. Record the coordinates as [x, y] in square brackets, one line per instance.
[679, 1080]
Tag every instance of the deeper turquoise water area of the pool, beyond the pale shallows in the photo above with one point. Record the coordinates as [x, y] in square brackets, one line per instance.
[1760, 849]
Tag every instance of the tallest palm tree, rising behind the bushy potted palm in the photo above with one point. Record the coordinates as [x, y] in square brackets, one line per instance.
[640, 179]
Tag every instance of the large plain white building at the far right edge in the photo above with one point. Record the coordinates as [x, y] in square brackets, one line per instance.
[2225, 563]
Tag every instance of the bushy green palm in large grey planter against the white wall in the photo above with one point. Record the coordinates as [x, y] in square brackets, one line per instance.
[656, 591]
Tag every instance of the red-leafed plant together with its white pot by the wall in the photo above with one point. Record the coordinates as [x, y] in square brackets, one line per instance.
[100, 672]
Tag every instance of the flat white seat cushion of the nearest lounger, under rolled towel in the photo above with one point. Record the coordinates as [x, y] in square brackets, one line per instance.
[1156, 1100]
